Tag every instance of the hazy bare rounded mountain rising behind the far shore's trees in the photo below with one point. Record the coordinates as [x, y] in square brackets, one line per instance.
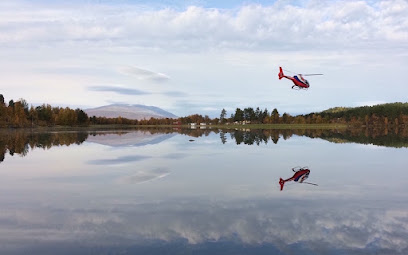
[135, 111]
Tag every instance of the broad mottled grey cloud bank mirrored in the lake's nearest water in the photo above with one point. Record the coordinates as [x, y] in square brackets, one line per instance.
[344, 226]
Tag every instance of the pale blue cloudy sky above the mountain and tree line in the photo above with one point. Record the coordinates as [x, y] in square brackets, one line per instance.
[201, 56]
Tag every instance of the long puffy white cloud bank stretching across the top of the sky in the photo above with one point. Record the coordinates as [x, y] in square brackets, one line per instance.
[251, 26]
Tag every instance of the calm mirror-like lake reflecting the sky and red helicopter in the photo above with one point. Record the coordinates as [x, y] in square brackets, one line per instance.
[172, 191]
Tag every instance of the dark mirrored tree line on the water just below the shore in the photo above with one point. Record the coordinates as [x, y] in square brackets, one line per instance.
[21, 141]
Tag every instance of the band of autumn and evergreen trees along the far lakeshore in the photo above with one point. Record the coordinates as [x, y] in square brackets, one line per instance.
[391, 115]
